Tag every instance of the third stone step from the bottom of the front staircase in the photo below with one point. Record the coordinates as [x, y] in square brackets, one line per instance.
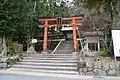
[48, 64]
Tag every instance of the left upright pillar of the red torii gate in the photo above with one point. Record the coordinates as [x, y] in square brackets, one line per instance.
[45, 35]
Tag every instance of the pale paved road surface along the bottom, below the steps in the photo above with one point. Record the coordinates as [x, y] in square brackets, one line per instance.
[22, 77]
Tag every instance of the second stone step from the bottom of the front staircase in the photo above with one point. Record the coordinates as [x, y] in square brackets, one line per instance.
[45, 67]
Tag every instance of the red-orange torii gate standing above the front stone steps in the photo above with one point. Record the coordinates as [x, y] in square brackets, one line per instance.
[46, 25]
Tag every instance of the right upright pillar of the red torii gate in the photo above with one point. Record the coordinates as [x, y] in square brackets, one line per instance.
[74, 34]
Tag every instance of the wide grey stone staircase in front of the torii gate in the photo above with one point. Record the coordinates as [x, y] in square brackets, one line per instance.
[47, 63]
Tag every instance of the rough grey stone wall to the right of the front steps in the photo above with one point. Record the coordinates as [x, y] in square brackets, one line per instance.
[98, 66]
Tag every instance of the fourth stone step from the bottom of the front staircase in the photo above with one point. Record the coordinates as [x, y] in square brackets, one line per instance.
[50, 61]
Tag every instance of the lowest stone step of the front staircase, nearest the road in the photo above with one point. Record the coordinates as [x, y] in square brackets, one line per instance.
[45, 71]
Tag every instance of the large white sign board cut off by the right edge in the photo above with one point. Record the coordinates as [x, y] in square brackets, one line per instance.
[116, 42]
